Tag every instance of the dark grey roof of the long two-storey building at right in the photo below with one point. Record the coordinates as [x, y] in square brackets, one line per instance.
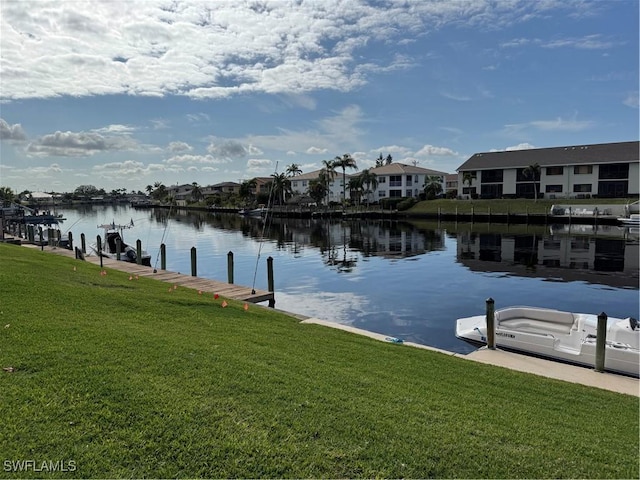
[622, 152]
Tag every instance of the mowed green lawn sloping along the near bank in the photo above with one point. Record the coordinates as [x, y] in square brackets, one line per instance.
[129, 379]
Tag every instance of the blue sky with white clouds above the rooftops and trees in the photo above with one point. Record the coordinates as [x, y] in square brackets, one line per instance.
[123, 94]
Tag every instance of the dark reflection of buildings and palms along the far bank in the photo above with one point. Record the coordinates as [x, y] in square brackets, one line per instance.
[560, 252]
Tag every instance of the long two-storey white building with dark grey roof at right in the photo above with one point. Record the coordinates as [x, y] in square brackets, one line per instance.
[581, 171]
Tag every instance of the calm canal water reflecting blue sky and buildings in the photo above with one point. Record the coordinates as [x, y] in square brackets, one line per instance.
[408, 280]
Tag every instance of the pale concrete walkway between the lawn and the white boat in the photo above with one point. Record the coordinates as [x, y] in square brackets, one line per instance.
[522, 363]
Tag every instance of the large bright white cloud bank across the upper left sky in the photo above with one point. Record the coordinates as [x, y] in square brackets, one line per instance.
[217, 49]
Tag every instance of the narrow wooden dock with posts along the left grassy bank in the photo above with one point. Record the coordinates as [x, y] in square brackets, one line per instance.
[228, 290]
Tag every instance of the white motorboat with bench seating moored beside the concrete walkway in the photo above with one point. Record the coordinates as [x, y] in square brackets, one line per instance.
[564, 336]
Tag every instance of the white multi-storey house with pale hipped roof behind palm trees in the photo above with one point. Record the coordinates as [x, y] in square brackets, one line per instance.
[399, 180]
